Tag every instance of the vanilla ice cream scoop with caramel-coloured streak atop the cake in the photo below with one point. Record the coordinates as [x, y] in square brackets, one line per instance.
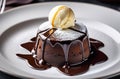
[62, 17]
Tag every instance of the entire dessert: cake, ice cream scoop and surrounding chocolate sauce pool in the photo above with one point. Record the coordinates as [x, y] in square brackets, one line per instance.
[62, 43]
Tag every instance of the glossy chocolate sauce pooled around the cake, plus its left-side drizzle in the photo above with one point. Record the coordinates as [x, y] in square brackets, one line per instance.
[95, 57]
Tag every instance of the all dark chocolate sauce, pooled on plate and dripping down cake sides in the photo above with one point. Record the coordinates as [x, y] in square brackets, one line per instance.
[95, 57]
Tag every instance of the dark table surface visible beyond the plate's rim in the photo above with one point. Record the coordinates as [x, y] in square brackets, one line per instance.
[114, 4]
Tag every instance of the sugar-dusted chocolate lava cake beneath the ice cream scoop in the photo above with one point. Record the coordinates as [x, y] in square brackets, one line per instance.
[60, 47]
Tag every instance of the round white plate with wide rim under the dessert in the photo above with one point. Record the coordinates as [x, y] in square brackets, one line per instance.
[20, 24]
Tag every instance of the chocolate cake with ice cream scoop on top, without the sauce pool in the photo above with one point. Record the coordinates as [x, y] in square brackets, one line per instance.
[60, 41]
